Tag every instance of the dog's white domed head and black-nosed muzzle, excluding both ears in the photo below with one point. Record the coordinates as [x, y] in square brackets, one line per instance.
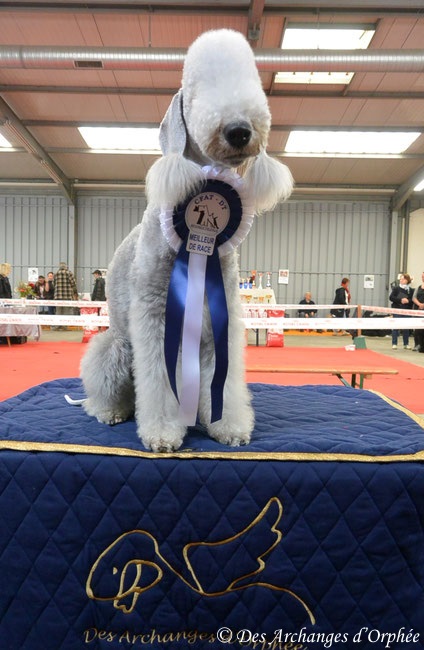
[224, 107]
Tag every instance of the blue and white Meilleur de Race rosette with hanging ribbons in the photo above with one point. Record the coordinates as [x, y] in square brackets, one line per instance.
[207, 225]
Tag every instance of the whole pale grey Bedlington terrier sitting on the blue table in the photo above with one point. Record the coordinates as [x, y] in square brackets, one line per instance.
[219, 119]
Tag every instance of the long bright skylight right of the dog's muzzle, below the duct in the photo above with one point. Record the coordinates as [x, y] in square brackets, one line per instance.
[350, 142]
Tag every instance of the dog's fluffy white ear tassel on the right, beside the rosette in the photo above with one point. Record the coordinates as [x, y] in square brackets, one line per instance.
[270, 180]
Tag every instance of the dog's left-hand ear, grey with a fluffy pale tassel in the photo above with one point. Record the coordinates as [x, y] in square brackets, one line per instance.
[173, 177]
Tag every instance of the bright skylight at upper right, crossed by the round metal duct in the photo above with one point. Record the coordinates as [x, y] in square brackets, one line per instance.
[323, 37]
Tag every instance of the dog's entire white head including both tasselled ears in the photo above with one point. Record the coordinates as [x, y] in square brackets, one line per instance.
[219, 117]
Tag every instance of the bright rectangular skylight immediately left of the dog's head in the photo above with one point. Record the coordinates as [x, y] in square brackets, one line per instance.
[121, 138]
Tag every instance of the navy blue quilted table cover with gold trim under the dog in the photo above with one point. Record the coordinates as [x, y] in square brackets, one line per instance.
[311, 536]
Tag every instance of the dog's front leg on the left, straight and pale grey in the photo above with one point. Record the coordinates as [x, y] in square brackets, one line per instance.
[156, 405]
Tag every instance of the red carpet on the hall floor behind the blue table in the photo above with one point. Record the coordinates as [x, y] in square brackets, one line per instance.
[23, 366]
